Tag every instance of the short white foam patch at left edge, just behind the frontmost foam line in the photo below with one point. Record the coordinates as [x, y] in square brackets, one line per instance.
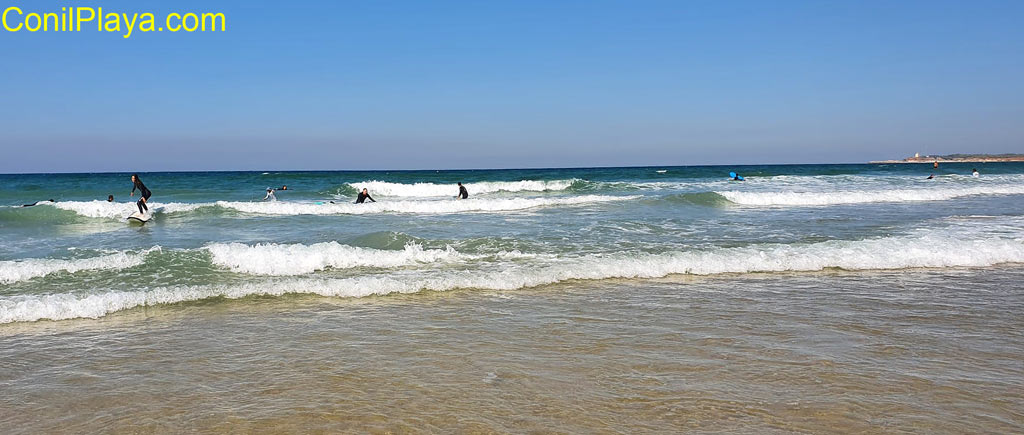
[18, 271]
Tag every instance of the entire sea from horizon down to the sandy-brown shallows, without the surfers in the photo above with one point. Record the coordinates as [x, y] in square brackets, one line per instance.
[803, 299]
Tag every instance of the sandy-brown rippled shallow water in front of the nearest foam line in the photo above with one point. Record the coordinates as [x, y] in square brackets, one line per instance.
[933, 352]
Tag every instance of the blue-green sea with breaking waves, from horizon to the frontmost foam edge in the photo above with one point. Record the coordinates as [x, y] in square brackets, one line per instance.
[212, 235]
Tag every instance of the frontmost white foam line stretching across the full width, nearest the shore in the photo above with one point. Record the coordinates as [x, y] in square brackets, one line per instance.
[935, 249]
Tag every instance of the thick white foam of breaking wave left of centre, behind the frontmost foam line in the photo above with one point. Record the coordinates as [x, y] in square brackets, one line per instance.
[274, 259]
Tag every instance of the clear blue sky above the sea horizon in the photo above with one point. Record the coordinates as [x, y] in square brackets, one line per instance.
[440, 84]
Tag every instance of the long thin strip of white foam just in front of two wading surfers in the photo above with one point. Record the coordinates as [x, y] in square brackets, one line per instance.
[420, 207]
